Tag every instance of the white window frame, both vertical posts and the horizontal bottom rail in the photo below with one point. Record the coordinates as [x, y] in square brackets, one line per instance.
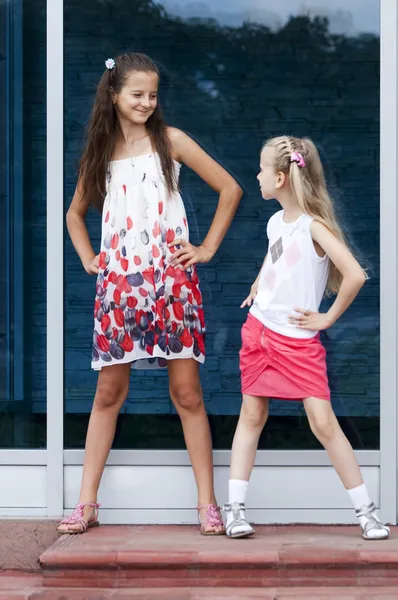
[55, 458]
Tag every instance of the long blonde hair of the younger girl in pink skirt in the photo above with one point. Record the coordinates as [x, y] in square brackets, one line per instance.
[308, 186]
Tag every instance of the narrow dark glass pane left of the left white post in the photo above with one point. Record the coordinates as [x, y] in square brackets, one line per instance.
[23, 224]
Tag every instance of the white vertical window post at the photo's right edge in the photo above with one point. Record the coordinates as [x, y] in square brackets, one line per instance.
[388, 260]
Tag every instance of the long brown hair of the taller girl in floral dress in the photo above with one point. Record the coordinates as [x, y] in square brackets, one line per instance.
[103, 125]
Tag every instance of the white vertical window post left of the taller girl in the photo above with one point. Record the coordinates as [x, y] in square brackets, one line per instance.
[55, 257]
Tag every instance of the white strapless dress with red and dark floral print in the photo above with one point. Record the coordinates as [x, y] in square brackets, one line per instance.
[146, 311]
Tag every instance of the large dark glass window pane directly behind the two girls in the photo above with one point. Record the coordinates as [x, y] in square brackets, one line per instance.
[238, 72]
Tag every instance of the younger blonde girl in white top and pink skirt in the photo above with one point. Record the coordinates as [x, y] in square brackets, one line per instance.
[282, 356]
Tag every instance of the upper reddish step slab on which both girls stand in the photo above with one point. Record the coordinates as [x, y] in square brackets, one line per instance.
[127, 557]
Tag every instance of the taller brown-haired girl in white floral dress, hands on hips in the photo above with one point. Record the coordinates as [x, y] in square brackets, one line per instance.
[148, 310]
